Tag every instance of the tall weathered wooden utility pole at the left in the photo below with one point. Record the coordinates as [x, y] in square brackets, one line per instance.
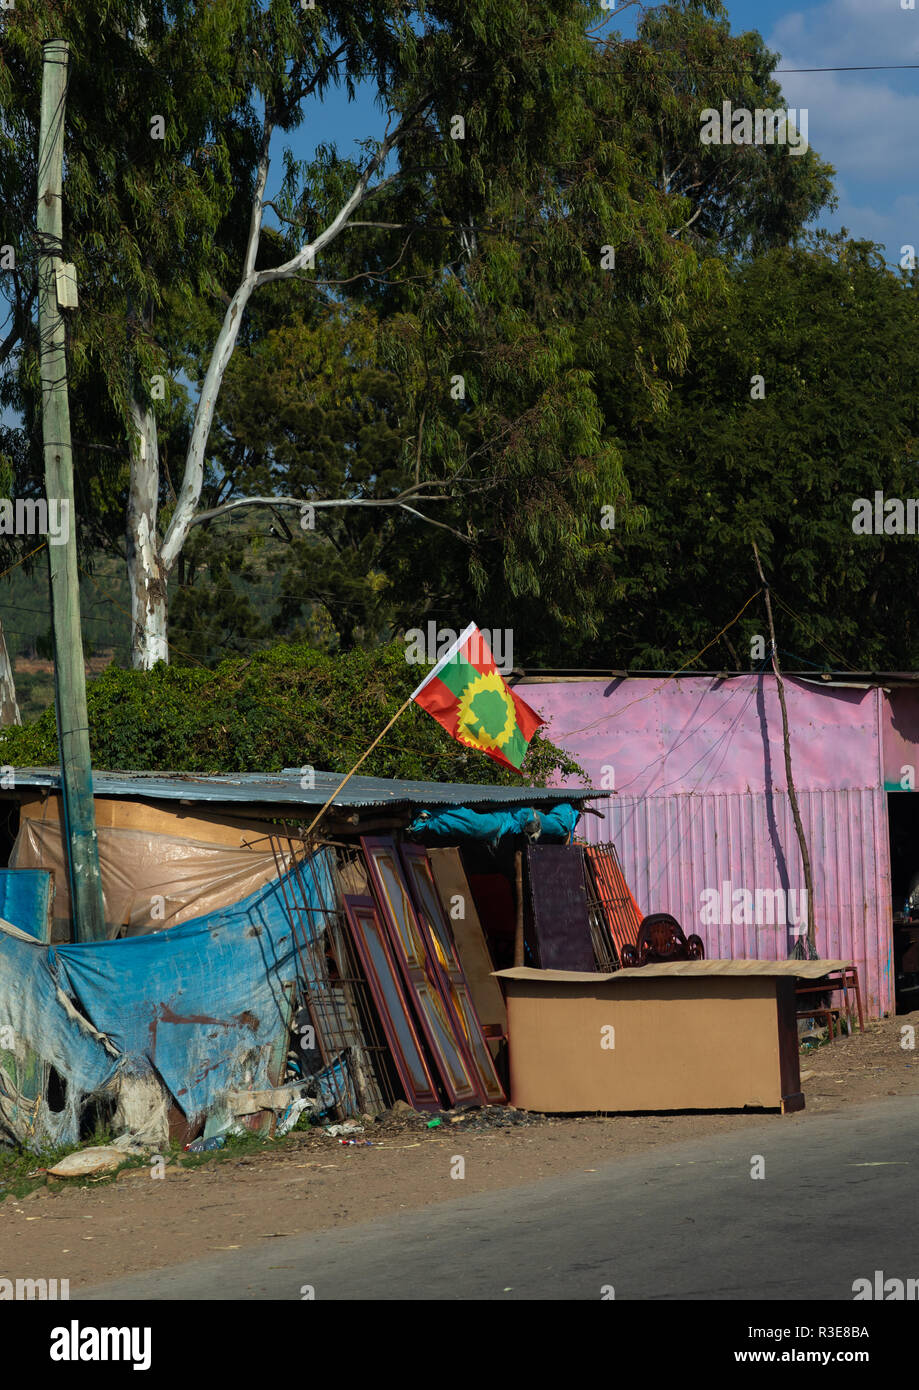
[70, 680]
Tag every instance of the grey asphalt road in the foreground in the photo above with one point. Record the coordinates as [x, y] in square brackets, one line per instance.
[838, 1202]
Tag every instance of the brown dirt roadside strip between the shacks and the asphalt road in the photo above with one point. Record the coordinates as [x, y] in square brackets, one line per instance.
[90, 1232]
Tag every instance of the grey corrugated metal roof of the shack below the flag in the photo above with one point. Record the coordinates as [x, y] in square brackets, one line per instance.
[286, 790]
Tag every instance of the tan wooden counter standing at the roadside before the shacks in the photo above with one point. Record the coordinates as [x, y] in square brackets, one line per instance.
[688, 1036]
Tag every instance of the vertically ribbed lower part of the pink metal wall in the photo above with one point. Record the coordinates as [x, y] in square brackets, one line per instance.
[674, 849]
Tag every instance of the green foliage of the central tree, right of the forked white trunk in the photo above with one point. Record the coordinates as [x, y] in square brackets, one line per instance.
[514, 357]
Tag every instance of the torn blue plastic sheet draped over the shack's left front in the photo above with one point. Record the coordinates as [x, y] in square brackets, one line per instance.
[200, 1008]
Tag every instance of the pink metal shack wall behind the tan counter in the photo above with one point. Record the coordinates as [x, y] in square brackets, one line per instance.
[699, 807]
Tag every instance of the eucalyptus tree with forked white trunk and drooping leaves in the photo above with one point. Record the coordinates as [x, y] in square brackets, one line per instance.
[173, 108]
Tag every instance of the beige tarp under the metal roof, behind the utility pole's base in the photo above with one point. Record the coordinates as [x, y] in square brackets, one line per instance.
[149, 881]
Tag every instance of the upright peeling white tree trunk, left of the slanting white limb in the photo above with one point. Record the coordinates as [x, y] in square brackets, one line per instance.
[147, 575]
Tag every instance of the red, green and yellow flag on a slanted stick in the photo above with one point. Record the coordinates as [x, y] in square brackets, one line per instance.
[469, 698]
